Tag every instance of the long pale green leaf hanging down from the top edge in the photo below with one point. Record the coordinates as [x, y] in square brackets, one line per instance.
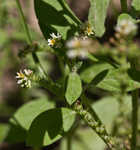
[97, 15]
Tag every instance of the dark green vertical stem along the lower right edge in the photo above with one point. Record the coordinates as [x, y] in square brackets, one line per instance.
[135, 95]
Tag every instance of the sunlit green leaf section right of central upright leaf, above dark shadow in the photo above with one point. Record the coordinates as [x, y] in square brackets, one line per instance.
[91, 72]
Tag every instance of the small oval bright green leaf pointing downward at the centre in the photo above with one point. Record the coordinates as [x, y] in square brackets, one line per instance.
[74, 88]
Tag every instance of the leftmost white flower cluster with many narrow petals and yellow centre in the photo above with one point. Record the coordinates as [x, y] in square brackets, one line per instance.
[24, 78]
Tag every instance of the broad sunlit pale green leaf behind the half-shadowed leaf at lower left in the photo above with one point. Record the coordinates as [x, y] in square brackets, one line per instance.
[28, 112]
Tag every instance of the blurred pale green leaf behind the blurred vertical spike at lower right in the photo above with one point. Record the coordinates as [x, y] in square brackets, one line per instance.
[108, 108]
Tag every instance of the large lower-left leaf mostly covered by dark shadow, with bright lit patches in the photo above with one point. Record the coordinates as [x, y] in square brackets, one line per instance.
[50, 126]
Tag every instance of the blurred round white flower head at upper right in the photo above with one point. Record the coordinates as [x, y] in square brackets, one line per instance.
[126, 27]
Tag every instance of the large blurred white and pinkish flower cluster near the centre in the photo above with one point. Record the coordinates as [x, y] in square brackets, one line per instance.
[78, 47]
